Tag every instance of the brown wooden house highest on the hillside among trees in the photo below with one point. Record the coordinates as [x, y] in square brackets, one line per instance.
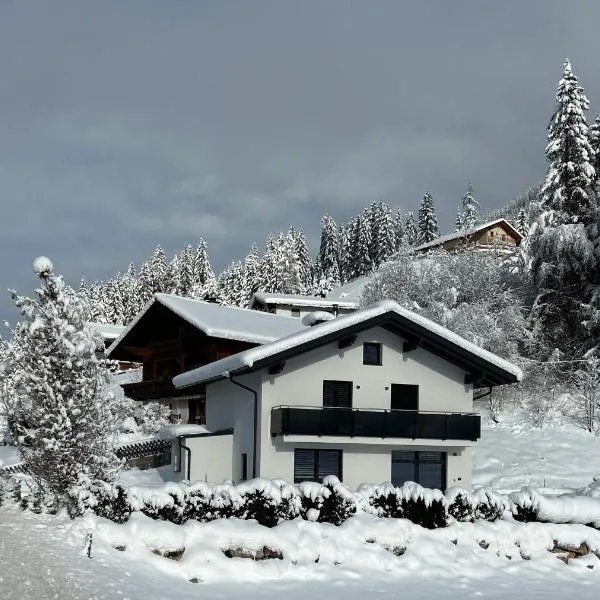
[498, 235]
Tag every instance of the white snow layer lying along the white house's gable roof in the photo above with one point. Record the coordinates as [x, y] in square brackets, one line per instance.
[246, 359]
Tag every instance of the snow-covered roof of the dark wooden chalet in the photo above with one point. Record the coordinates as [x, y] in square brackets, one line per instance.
[218, 321]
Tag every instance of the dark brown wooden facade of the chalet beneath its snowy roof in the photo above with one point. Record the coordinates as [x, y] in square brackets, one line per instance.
[167, 345]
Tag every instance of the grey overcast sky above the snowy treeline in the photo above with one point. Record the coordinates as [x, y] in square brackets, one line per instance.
[124, 124]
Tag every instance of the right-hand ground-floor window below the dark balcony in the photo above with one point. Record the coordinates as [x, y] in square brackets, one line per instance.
[425, 468]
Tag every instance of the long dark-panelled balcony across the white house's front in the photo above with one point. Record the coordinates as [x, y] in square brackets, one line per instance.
[355, 422]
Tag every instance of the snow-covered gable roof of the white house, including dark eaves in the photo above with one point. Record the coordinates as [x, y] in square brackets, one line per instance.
[455, 348]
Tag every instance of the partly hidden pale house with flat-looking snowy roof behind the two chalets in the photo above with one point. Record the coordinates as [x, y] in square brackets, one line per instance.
[291, 305]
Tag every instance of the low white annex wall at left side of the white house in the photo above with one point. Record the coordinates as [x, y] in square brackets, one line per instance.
[211, 458]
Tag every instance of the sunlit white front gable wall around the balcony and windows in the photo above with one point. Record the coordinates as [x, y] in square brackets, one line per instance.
[441, 388]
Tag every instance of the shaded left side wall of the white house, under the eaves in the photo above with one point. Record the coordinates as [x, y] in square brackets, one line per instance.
[228, 406]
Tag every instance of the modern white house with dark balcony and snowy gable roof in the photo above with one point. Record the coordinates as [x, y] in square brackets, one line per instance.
[382, 394]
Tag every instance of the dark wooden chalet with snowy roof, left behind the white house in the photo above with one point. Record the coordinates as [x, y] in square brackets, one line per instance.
[172, 335]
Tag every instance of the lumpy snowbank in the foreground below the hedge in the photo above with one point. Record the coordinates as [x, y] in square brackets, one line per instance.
[230, 550]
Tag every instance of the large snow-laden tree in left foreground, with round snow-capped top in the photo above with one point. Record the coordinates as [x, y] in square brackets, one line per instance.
[61, 402]
